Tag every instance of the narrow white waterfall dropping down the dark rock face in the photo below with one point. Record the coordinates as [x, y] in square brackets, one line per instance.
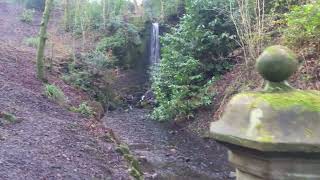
[155, 45]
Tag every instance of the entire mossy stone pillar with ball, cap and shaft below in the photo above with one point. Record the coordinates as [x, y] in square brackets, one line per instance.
[273, 134]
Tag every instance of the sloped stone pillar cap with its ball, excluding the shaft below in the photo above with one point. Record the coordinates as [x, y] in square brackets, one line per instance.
[279, 119]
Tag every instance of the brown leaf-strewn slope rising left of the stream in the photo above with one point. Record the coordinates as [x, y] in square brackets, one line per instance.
[48, 142]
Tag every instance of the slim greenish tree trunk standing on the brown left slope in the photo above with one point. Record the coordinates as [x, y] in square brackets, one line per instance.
[43, 39]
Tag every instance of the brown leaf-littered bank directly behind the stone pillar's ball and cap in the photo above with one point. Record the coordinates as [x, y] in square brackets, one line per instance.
[242, 78]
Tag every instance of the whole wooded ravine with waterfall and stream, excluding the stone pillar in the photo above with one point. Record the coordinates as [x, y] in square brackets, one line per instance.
[126, 89]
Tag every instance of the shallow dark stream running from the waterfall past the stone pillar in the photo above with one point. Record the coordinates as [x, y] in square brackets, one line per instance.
[168, 152]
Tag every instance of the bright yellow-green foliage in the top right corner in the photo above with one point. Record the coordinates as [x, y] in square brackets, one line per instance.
[303, 24]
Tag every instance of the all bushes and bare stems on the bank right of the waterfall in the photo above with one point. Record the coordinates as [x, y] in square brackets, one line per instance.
[196, 52]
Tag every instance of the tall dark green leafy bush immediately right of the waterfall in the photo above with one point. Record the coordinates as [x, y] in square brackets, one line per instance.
[193, 55]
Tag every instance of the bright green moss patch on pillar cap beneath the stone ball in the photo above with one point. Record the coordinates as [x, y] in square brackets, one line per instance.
[309, 100]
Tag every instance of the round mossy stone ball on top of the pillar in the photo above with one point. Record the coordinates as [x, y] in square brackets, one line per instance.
[277, 63]
